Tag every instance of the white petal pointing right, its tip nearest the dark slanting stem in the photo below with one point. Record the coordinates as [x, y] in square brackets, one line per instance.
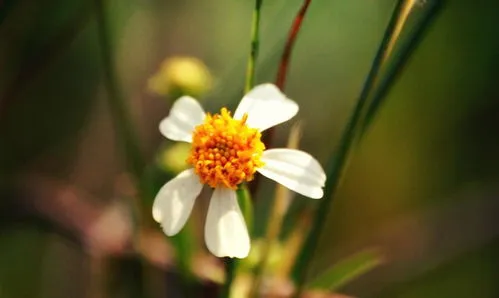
[295, 169]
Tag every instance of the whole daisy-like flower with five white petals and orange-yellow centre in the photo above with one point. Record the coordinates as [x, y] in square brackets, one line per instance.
[227, 151]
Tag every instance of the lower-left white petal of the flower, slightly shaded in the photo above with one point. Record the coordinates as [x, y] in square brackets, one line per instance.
[173, 203]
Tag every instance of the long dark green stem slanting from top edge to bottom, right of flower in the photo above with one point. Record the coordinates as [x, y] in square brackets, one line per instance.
[337, 164]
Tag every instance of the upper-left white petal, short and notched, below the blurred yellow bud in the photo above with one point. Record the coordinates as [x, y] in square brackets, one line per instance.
[185, 114]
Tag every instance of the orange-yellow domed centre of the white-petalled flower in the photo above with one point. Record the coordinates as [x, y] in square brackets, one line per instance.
[225, 152]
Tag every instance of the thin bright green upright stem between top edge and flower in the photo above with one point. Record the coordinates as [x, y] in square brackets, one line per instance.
[255, 43]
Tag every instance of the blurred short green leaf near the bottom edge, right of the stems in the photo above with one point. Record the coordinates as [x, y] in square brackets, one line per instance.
[347, 270]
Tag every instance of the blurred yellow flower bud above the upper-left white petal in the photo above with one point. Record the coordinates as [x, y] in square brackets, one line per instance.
[179, 76]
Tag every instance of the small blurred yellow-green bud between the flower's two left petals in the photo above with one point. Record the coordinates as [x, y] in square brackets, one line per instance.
[173, 158]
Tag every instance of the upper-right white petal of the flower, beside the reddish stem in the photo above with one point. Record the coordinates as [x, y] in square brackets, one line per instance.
[266, 106]
